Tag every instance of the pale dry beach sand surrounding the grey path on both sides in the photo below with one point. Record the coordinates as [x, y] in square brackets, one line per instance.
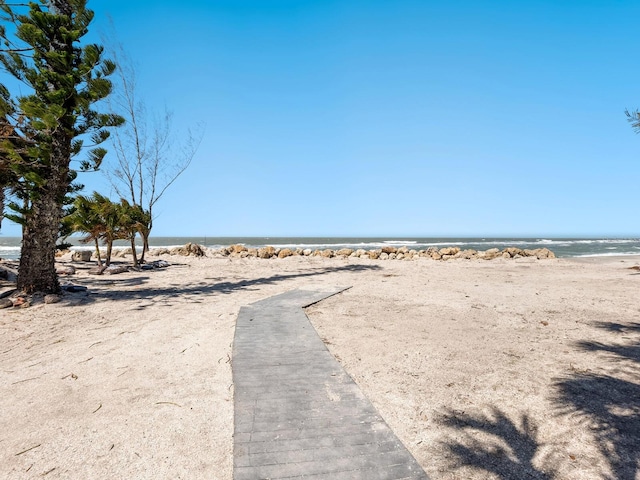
[507, 369]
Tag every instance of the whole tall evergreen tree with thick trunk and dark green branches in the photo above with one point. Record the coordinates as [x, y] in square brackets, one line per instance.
[43, 130]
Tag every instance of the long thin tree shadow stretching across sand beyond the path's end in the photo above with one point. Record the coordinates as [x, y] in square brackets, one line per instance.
[137, 287]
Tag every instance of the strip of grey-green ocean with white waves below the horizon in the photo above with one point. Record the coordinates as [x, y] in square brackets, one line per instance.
[562, 247]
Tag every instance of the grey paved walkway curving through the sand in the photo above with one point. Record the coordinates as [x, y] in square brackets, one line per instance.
[297, 412]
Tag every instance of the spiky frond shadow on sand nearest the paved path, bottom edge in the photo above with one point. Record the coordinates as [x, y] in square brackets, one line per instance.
[505, 448]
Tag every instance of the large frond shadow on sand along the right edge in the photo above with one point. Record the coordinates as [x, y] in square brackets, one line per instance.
[610, 405]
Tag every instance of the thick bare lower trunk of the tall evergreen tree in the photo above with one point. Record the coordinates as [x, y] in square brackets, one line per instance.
[37, 271]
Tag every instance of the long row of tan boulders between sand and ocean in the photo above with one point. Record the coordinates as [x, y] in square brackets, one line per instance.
[384, 253]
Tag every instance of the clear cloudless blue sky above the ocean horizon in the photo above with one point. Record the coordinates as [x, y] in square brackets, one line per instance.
[393, 118]
